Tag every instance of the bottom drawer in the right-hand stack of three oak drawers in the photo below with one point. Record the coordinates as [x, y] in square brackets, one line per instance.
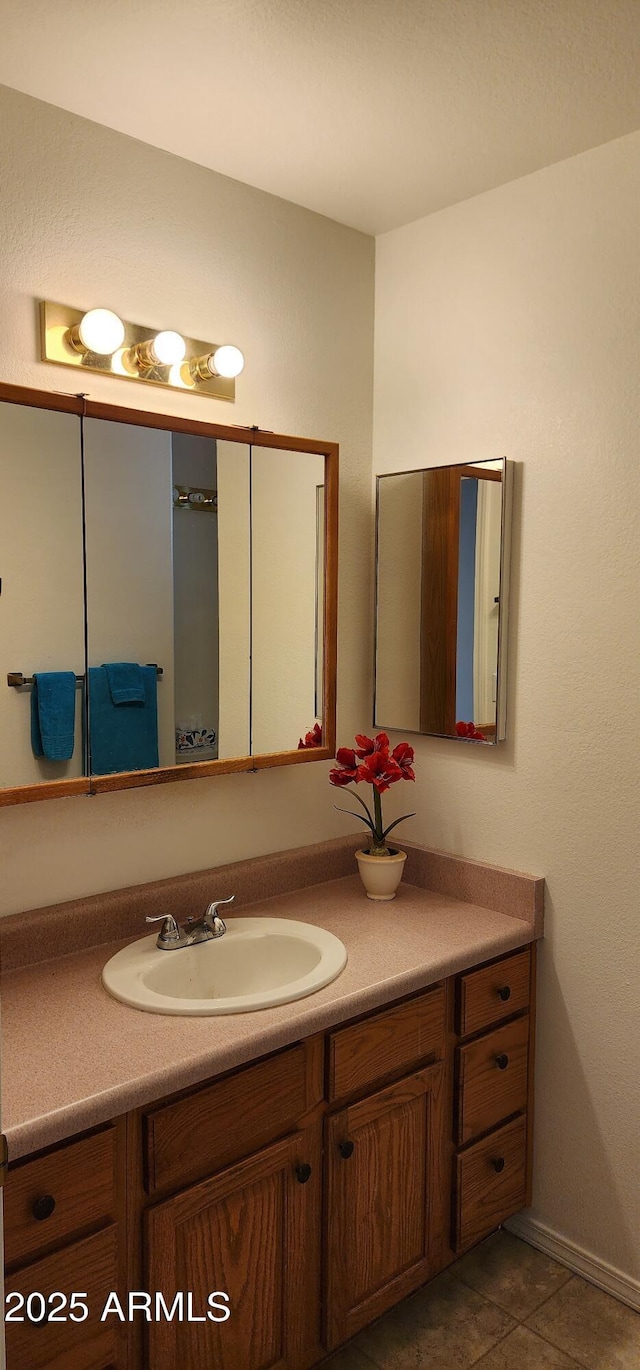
[490, 1183]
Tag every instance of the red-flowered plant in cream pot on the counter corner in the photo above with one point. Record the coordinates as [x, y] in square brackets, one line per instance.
[373, 762]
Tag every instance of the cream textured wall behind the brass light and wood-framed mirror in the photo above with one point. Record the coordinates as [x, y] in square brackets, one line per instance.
[90, 217]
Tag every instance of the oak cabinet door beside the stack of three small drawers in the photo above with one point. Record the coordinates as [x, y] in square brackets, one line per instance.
[387, 1201]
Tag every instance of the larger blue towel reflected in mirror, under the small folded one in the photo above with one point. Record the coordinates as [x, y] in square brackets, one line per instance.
[123, 736]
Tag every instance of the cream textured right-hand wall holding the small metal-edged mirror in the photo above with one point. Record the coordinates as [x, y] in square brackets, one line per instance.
[509, 325]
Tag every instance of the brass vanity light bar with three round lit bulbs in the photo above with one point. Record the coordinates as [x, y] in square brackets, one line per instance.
[99, 340]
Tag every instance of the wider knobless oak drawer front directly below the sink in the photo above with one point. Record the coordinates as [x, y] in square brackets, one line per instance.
[236, 1116]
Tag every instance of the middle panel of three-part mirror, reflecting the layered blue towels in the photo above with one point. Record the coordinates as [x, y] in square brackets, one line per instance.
[168, 557]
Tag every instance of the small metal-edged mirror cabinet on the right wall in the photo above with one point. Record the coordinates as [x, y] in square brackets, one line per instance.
[443, 546]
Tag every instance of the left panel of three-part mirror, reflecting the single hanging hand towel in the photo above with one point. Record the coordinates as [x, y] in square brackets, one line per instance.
[42, 601]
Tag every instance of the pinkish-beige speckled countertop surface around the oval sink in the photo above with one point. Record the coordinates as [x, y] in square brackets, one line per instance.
[73, 1057]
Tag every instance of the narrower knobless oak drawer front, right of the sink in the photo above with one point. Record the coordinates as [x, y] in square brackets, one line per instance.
[389, 1043]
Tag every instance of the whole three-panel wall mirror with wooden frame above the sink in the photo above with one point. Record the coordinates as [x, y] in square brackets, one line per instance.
[168, 598]
